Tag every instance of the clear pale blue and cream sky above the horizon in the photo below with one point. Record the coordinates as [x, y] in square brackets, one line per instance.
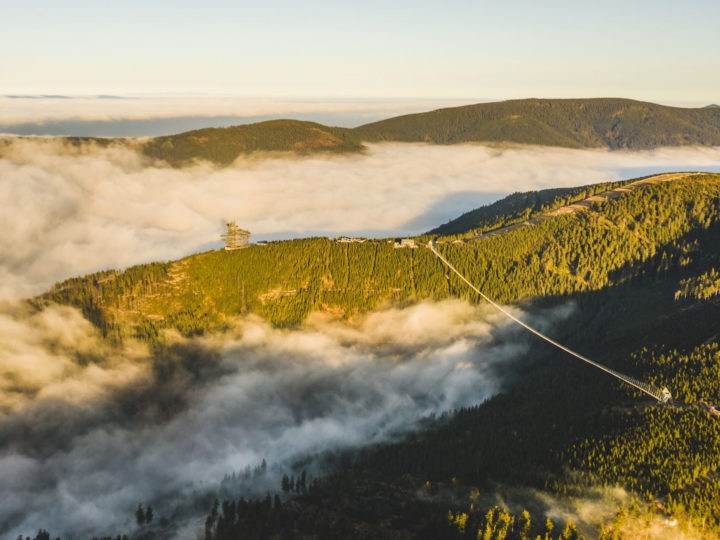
[660, 50]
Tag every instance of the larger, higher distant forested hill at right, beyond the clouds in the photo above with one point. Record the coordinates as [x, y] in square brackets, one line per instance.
[573, 123]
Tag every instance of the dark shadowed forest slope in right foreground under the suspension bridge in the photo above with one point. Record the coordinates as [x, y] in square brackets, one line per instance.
[562, 434]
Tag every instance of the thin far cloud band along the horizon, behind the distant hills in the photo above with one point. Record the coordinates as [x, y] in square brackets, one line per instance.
[120, 116]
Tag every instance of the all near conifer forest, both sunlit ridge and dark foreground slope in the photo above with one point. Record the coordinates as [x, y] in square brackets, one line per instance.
[641, 272]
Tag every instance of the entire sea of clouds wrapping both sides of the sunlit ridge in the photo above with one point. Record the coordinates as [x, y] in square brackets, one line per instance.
[88, 429]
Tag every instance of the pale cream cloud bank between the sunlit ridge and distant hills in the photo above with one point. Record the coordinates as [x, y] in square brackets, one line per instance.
[68, 212]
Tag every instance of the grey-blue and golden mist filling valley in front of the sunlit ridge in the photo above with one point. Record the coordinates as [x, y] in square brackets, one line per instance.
[81, 462]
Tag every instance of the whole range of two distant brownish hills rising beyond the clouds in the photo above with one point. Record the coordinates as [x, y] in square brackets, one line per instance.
[610, 123]
